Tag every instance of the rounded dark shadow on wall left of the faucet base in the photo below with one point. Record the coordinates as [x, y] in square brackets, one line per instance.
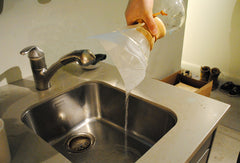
[11, 75]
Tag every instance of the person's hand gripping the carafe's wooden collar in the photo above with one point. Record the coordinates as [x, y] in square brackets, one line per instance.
[138, 10]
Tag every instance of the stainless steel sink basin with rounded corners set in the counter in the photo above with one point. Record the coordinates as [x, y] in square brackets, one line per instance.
[86, 124]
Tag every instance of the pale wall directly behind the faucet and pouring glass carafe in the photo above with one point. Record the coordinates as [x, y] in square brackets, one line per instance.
[61, 26]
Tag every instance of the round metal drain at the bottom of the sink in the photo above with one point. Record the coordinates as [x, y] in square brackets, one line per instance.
[80, 142]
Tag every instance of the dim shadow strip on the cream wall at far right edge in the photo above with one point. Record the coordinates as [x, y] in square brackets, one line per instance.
[234, 40]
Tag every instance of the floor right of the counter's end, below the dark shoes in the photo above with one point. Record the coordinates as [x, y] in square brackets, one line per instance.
[226, 144]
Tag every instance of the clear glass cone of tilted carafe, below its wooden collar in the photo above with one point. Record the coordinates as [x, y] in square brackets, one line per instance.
[129, 50]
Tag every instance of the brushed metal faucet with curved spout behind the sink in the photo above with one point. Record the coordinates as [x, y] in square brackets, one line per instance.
[42, 75]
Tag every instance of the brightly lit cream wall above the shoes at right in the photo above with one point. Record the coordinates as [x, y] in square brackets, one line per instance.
[212, 36]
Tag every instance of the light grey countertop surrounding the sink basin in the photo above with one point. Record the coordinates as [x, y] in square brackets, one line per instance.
[197, 115]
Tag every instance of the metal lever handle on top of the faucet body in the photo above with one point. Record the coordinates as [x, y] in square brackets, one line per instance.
[32, 51]
